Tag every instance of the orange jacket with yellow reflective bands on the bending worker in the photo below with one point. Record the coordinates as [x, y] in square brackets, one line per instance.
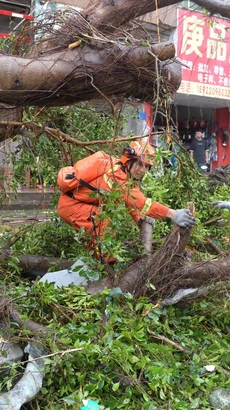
[135, 201]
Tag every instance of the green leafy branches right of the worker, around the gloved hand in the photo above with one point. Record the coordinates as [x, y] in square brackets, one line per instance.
[177, 186]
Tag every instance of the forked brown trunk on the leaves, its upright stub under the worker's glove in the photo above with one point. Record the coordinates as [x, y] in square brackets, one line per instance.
[167, 270]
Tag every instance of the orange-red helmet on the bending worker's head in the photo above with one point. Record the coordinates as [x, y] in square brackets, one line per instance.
[139, 150]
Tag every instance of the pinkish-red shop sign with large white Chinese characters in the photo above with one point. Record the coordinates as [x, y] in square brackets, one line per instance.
[204, 49]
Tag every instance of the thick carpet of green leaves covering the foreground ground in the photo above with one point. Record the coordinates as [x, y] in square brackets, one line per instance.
[106, 348]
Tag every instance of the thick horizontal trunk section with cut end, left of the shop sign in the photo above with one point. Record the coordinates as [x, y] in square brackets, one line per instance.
[87, 73]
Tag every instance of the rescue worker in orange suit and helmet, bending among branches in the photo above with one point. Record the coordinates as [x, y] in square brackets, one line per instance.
[80, 209]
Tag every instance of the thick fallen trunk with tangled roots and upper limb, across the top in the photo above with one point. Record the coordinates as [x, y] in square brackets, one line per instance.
[83, 56]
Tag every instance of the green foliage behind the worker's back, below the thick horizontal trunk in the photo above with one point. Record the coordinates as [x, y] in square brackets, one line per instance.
[43, 155]
